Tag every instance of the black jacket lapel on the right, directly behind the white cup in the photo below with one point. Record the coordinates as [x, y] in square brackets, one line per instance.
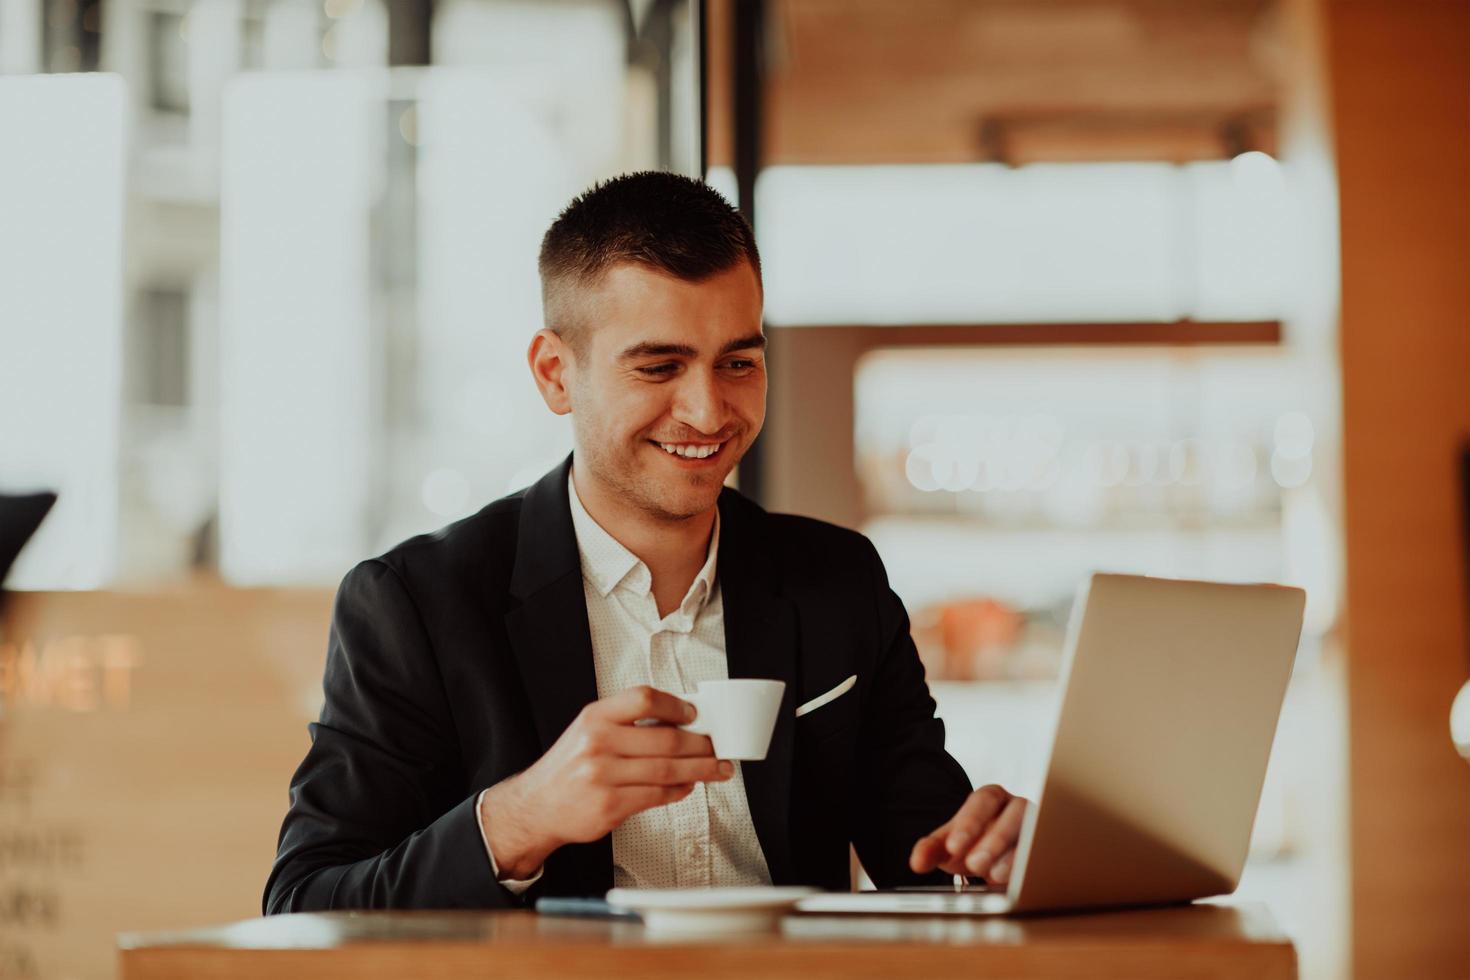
[761, 641]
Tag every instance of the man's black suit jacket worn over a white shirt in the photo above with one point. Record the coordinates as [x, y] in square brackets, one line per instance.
[458, 659]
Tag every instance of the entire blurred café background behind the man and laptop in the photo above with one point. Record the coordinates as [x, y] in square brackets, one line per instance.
[1171, 287]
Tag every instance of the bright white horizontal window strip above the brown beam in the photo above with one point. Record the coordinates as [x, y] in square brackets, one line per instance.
[1041, 243]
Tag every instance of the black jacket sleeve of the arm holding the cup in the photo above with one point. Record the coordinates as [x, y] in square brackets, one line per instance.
[380, 812]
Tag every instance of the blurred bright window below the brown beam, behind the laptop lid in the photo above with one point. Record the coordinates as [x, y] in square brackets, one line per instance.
[996, 480]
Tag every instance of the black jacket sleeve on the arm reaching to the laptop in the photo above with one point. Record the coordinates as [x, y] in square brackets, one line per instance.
[912, 785]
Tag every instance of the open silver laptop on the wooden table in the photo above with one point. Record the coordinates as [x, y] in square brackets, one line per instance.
[1169, 706]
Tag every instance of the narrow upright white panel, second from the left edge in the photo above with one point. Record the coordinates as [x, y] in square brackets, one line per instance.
[301, 164]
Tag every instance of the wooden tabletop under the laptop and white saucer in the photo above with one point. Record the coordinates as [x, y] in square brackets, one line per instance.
[1194, 941]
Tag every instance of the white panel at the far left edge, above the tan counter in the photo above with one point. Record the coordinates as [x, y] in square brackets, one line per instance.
[61, 317]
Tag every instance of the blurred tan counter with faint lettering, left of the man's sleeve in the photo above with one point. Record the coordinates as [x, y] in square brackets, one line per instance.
[146, 746]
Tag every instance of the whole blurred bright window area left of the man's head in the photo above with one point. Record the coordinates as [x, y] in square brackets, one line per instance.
[330, 274]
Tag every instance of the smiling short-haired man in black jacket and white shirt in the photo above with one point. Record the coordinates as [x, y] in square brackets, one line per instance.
[502, 697]
